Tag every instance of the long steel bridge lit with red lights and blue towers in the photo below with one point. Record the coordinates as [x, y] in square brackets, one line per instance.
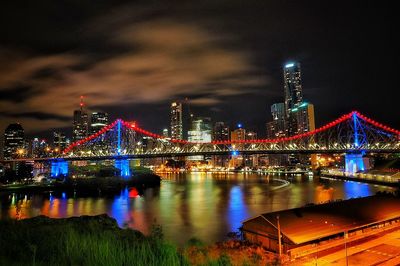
[352, 134]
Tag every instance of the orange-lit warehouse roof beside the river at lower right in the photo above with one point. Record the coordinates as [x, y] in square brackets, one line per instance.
[305, 224]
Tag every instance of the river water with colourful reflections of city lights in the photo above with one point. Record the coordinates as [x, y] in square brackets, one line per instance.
[202, 205]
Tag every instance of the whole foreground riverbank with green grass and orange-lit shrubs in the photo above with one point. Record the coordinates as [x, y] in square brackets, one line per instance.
[97, 240]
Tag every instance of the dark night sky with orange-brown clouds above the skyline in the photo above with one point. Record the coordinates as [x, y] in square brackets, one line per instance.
[132, 59]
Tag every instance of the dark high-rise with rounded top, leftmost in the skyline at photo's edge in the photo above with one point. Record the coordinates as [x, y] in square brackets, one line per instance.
[14, 142]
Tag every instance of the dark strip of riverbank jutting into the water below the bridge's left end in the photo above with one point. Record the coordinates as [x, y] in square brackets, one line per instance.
[87, 186]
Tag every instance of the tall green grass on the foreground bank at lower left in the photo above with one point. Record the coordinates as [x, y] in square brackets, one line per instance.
[81, 241]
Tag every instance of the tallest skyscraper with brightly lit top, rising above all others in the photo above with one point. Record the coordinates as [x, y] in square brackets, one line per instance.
[292, 85]
